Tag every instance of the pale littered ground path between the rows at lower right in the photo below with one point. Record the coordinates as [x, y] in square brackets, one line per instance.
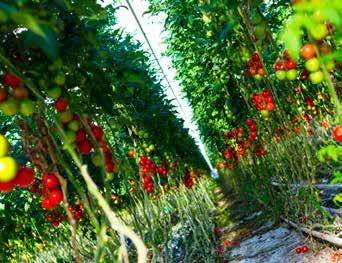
[255, 239]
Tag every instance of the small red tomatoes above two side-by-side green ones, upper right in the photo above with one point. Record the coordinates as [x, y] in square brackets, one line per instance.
[285, 68]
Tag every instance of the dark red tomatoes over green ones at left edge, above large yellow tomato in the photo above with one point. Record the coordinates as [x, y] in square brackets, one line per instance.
[14, 97]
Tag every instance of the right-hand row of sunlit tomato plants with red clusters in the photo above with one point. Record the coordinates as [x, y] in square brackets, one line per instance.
[263, 80]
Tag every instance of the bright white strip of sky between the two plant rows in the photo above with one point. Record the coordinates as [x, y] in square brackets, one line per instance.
[153, 27]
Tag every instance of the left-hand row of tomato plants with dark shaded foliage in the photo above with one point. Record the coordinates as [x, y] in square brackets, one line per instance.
[94, 124]
